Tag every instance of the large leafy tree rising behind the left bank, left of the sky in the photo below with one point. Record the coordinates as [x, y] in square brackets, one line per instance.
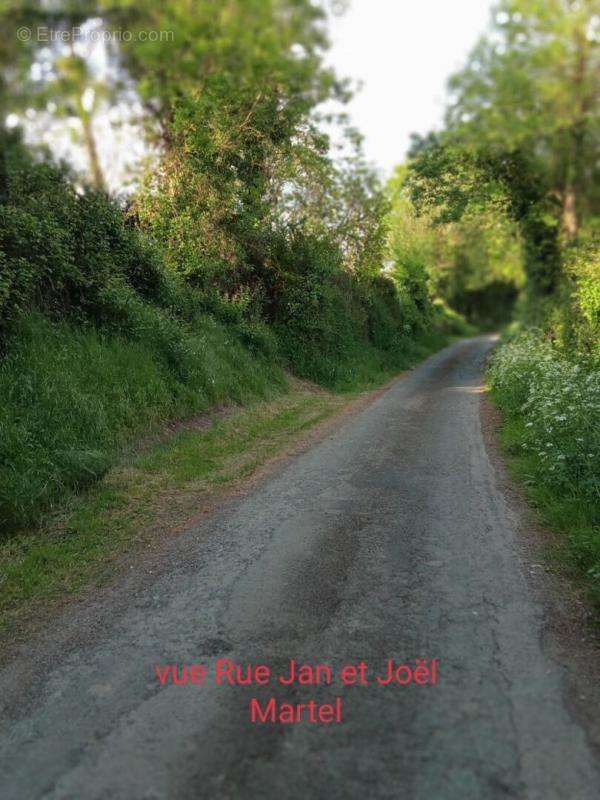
[233, 91]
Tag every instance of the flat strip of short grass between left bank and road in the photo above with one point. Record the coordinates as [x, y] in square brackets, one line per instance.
[149, 494]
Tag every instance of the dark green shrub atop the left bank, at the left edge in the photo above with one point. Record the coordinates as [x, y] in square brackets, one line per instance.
[70, 253]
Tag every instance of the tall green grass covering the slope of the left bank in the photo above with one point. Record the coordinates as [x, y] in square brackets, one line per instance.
[71, 396]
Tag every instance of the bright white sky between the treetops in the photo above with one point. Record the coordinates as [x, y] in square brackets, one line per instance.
[402, 51]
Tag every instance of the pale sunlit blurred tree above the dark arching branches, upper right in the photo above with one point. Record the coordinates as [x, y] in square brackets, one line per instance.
[532, 86]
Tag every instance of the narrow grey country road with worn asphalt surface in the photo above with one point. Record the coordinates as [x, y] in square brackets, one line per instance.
[389, 539]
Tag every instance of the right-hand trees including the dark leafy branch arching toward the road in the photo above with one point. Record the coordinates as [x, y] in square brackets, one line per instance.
[522, 137]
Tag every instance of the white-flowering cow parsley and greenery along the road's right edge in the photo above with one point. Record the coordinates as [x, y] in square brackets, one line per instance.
[552, 403]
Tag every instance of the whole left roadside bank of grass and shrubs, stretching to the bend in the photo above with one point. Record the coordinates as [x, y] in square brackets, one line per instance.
[102, 340]
